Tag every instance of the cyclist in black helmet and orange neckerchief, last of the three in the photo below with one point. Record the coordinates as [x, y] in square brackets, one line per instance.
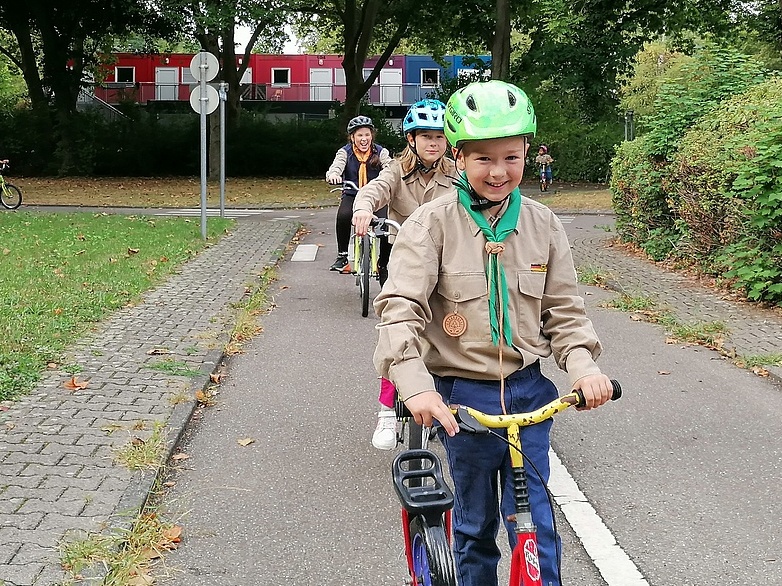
[359, 161]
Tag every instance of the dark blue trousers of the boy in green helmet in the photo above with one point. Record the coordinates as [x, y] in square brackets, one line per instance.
[480, 467]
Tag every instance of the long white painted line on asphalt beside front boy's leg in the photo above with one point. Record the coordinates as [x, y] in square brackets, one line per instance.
[612, 562]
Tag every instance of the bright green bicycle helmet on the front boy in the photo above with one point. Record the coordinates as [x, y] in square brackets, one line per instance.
[488, 109]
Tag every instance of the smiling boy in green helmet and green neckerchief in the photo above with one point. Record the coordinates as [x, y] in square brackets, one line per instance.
[482, 286]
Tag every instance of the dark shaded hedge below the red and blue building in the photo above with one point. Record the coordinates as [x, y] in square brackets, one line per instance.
[169, 144]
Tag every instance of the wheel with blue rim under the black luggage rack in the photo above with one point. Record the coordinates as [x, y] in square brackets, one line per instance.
[433, 563]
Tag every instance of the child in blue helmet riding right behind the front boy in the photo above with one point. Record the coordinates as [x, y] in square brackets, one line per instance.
[419, 174]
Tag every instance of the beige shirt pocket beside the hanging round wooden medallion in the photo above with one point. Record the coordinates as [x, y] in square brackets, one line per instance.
[466, 294]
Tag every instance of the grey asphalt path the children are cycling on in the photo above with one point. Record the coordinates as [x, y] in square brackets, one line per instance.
[685, 469]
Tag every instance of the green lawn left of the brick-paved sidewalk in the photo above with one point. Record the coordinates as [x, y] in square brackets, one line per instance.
[61, 273]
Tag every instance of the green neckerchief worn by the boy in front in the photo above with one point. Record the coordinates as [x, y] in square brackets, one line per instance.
[505, 226]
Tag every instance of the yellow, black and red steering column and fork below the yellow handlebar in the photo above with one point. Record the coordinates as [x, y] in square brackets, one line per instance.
[525, 564]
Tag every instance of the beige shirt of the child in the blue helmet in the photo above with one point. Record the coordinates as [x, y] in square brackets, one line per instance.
[403, 196]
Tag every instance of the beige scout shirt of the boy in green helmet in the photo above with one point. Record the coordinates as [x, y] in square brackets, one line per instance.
[437, 267]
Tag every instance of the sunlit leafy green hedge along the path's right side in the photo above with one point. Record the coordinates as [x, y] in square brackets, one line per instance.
[704, 185]
